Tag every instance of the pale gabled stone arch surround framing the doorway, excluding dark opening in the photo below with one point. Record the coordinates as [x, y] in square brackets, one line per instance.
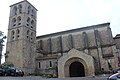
[72, 56]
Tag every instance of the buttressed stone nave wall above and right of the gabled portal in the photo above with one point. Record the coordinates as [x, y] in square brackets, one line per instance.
[96, 41]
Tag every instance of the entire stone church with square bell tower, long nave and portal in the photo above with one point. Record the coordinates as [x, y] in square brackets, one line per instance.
[80, 52]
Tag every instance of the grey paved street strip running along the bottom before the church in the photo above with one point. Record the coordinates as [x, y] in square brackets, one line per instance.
[39, 78]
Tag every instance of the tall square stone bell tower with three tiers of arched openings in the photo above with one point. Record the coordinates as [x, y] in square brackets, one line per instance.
[21, 37]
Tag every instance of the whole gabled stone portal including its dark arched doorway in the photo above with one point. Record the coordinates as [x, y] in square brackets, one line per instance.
[74, 59]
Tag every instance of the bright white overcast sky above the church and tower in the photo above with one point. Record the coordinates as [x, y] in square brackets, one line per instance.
[60, 15]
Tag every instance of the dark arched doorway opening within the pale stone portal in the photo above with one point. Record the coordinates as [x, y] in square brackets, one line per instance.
[76, 69]
